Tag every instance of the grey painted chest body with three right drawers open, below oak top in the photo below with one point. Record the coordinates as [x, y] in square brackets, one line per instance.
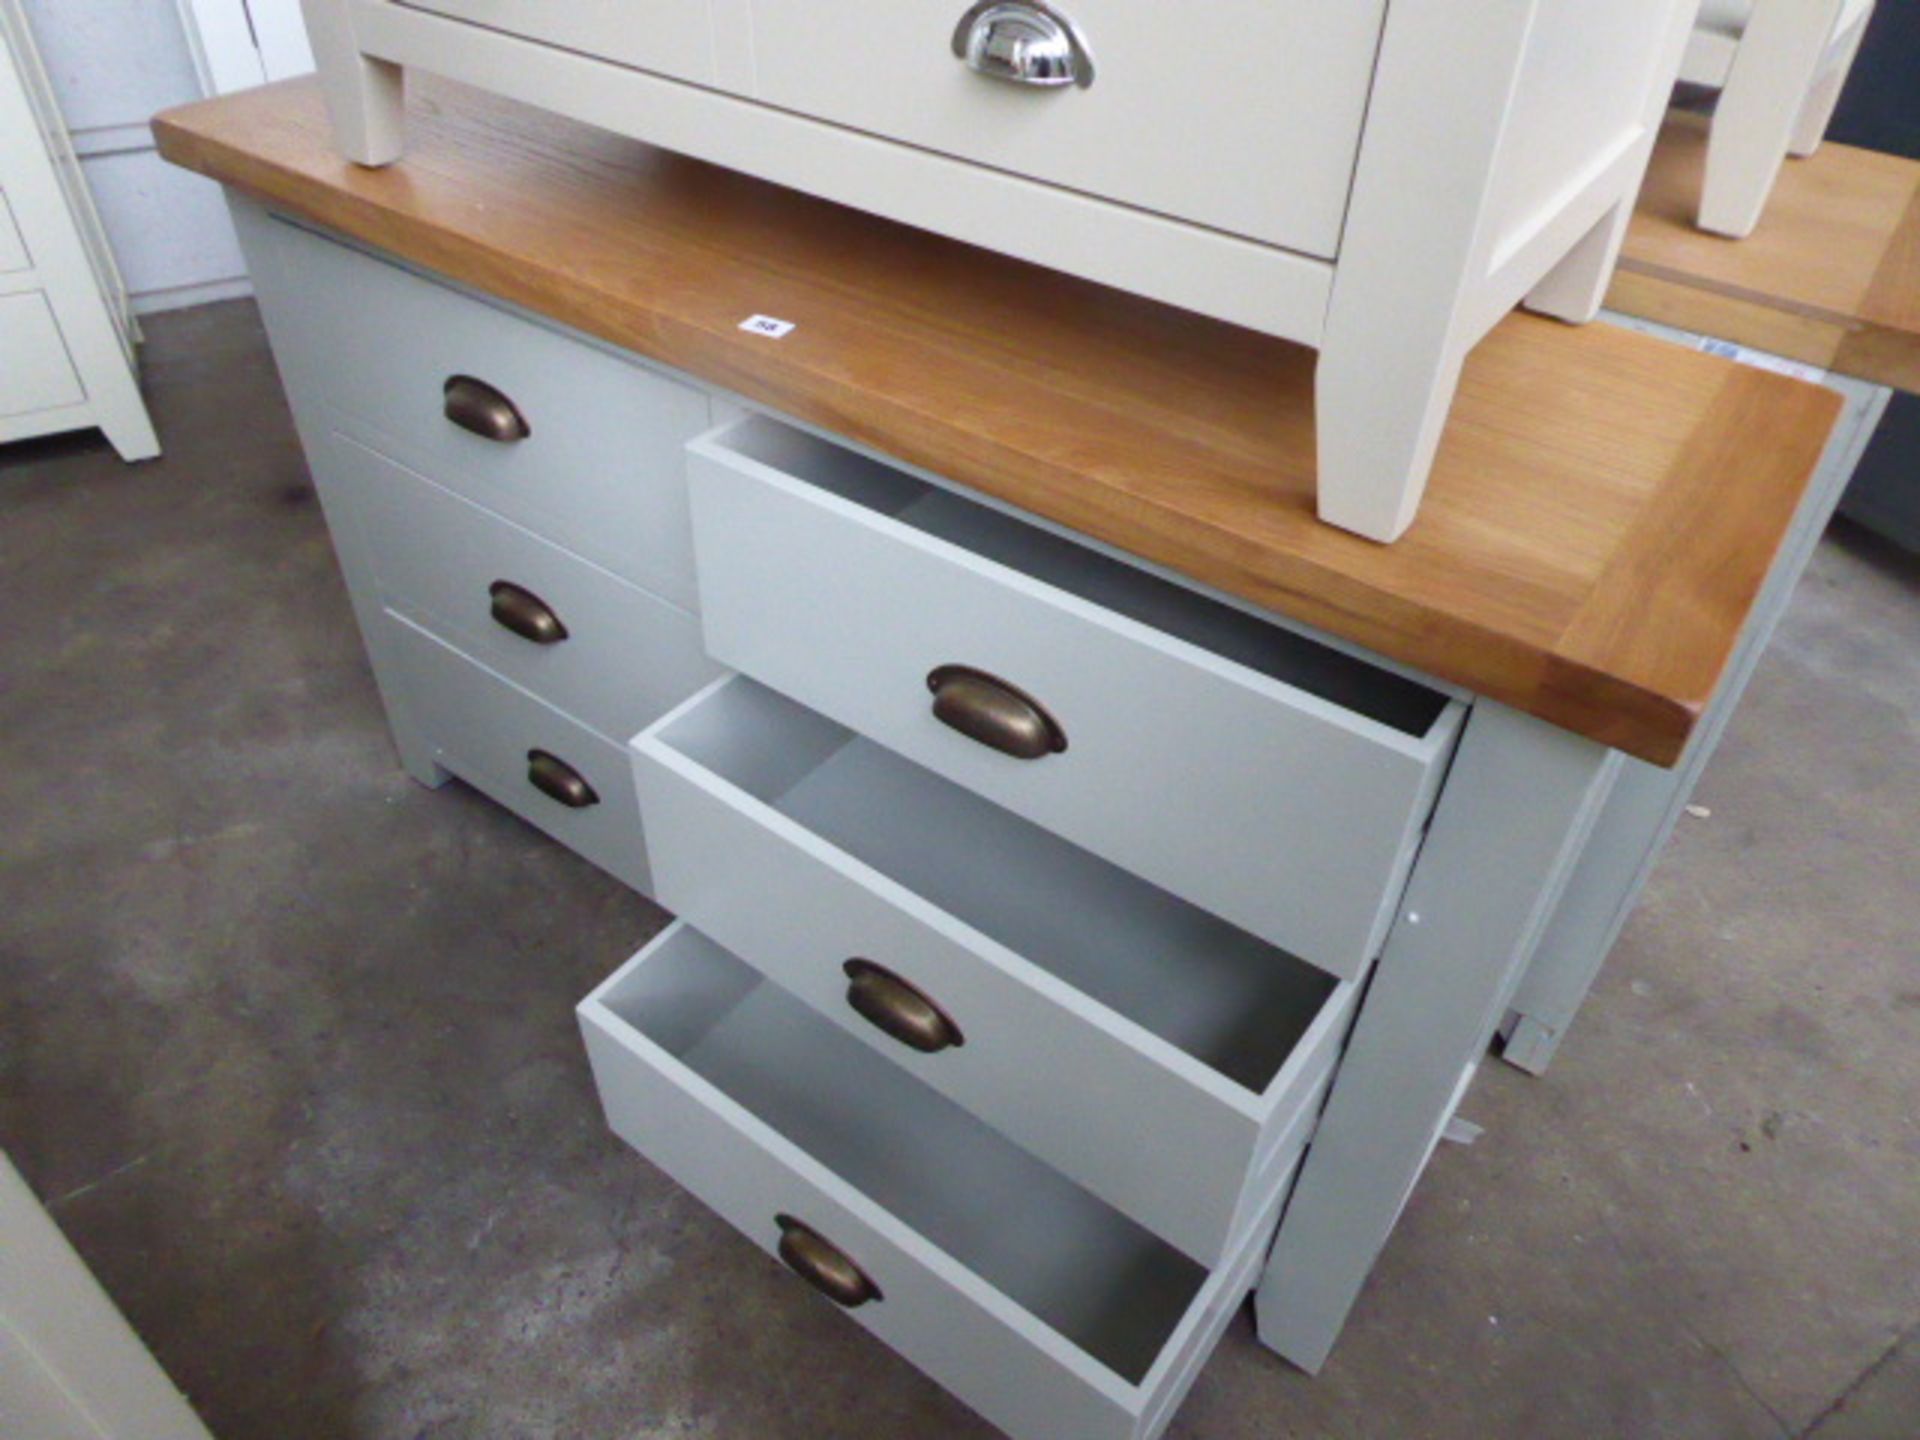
[1047, 926]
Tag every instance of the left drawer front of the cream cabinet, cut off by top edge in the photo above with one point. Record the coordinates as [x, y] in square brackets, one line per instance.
[667, 37]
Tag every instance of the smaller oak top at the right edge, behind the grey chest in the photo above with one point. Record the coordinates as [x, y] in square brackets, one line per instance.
[1831, 277]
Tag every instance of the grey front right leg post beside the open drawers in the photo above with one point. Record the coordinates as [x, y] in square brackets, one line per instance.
[1512, 825]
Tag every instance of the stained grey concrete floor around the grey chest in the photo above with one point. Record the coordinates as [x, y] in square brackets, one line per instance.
[289, 1044]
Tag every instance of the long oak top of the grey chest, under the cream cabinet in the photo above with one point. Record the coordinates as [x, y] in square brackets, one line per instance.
[1598, 527]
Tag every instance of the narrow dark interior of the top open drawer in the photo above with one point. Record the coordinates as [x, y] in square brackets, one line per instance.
[1268, 650]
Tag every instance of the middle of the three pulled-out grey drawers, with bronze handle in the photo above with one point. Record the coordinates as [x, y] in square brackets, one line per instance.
[1074, 1007]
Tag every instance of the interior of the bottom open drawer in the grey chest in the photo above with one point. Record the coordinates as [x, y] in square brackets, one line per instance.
[1076, 1264]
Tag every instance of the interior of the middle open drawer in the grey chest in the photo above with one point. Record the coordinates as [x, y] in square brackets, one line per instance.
[1216, 994]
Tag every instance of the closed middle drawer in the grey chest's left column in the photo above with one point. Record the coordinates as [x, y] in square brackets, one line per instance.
[606, 652]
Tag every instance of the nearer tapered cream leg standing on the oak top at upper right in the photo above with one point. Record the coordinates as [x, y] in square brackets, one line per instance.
[1760, 110]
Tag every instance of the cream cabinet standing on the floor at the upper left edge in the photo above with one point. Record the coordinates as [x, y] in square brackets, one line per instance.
[66, 331]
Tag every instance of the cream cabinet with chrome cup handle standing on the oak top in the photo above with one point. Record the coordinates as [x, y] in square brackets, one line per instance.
[1380, 183]
